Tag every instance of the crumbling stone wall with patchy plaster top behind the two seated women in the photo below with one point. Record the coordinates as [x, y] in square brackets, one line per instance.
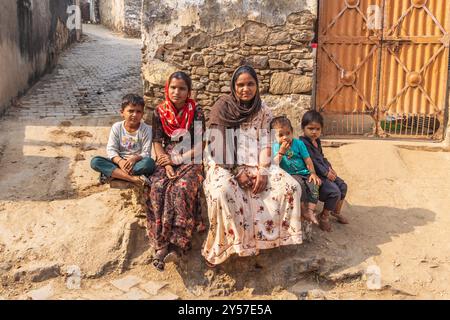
[208, 40]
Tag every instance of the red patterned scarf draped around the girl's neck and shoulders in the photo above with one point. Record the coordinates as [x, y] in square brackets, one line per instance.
[176, 122]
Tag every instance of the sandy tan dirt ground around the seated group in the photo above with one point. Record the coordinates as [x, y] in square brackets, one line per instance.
[53, 215]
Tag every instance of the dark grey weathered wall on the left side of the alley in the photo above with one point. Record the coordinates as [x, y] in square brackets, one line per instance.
[32, 35]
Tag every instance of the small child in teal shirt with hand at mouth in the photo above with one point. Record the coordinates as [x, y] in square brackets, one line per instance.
[293, 157]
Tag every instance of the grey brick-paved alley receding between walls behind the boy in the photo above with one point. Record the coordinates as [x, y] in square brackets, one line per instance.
[89, 79]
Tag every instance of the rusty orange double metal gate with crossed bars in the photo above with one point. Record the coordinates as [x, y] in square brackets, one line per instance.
[383, 67]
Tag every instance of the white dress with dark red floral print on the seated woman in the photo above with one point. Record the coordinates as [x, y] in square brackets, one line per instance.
[241, 222]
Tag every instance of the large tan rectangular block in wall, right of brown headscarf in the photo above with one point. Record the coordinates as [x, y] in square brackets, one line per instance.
[285, 83]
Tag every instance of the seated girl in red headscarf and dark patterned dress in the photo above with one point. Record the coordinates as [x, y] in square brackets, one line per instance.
[172, 207]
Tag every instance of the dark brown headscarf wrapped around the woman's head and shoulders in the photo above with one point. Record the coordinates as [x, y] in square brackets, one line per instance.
[229, 111]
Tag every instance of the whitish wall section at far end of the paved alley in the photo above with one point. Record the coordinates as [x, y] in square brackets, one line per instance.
[122, 16]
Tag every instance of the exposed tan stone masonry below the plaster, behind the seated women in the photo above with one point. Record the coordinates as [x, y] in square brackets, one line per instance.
[280, 52]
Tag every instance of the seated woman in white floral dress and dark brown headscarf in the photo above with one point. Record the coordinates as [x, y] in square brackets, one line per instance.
[251, 204]
